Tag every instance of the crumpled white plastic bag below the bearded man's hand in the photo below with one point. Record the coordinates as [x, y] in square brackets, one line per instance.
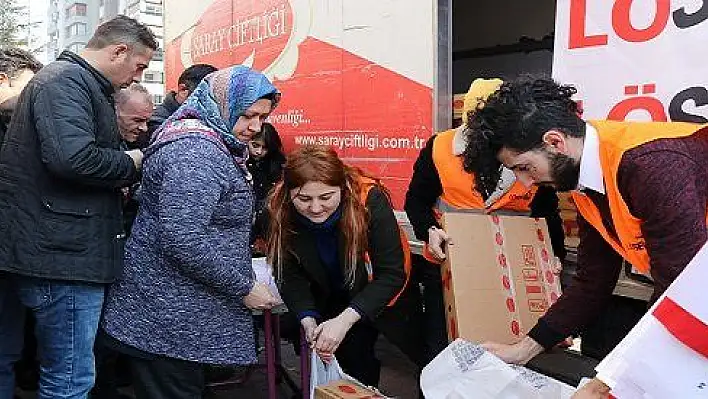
[466, 371]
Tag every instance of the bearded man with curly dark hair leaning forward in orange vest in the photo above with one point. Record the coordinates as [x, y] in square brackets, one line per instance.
[641, 190]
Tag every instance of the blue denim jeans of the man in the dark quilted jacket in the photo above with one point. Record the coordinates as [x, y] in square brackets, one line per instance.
[67, 316]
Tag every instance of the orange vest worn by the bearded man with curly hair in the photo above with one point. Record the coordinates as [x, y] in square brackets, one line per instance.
[616, 138]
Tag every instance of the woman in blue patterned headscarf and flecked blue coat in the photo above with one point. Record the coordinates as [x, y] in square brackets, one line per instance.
[187, 289]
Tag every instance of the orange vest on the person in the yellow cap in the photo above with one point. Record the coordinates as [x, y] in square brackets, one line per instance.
[458, 191]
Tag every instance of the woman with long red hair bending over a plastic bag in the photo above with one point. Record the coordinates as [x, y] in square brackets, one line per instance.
[337, 248]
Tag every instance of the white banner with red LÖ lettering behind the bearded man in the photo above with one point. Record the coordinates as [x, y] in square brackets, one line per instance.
[635, 59]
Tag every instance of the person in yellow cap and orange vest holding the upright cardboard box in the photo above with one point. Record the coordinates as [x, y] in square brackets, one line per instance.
[440, 184]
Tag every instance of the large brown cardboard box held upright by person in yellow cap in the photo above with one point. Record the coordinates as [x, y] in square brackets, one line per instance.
[497, 278]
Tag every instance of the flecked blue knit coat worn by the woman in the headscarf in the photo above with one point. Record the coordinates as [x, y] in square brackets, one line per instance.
[187, 262]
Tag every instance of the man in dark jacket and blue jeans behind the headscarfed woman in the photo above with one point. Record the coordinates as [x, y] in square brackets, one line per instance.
[61, 173]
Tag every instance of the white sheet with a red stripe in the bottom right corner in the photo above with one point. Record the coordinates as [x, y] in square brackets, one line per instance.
[666, 353]
